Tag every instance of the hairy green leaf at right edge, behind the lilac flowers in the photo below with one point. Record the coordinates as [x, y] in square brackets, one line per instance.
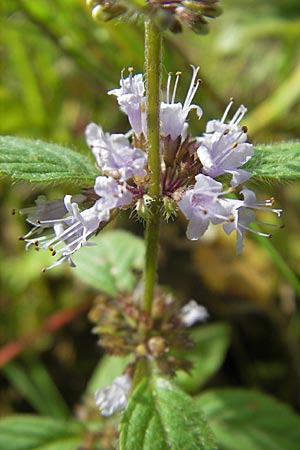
[279, 161]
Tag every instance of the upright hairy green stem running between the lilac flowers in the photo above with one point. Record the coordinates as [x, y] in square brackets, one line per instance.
[153, 50]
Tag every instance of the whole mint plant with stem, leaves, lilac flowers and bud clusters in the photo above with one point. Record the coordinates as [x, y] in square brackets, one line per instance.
[154, 171]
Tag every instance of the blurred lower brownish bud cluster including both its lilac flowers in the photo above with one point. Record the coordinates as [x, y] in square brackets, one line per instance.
[117, 322]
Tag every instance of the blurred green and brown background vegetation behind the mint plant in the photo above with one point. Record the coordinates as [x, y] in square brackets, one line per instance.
[56, 67]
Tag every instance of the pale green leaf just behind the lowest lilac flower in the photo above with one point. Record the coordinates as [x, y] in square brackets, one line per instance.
[108, 368]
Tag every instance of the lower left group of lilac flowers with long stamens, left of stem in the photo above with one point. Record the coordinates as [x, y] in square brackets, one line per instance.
[73, 220]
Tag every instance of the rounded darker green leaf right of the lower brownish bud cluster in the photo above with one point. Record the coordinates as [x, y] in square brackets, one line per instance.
[207, 355]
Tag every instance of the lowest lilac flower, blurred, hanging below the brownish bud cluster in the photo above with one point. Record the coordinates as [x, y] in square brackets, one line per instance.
[114, 397]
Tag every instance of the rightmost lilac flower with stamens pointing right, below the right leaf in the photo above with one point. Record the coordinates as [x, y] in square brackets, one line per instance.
[243, 212]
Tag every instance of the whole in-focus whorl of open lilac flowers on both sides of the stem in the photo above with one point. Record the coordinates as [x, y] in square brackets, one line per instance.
[199, 176]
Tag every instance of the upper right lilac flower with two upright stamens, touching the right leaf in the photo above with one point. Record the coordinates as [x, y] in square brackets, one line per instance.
[223, 148]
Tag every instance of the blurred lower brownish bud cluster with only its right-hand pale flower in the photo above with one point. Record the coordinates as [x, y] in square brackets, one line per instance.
[123, 327]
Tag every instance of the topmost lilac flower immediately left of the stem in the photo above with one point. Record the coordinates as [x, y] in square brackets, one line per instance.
[132, 101]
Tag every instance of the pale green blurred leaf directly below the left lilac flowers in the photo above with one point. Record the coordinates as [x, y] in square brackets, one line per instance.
[109, 265]
